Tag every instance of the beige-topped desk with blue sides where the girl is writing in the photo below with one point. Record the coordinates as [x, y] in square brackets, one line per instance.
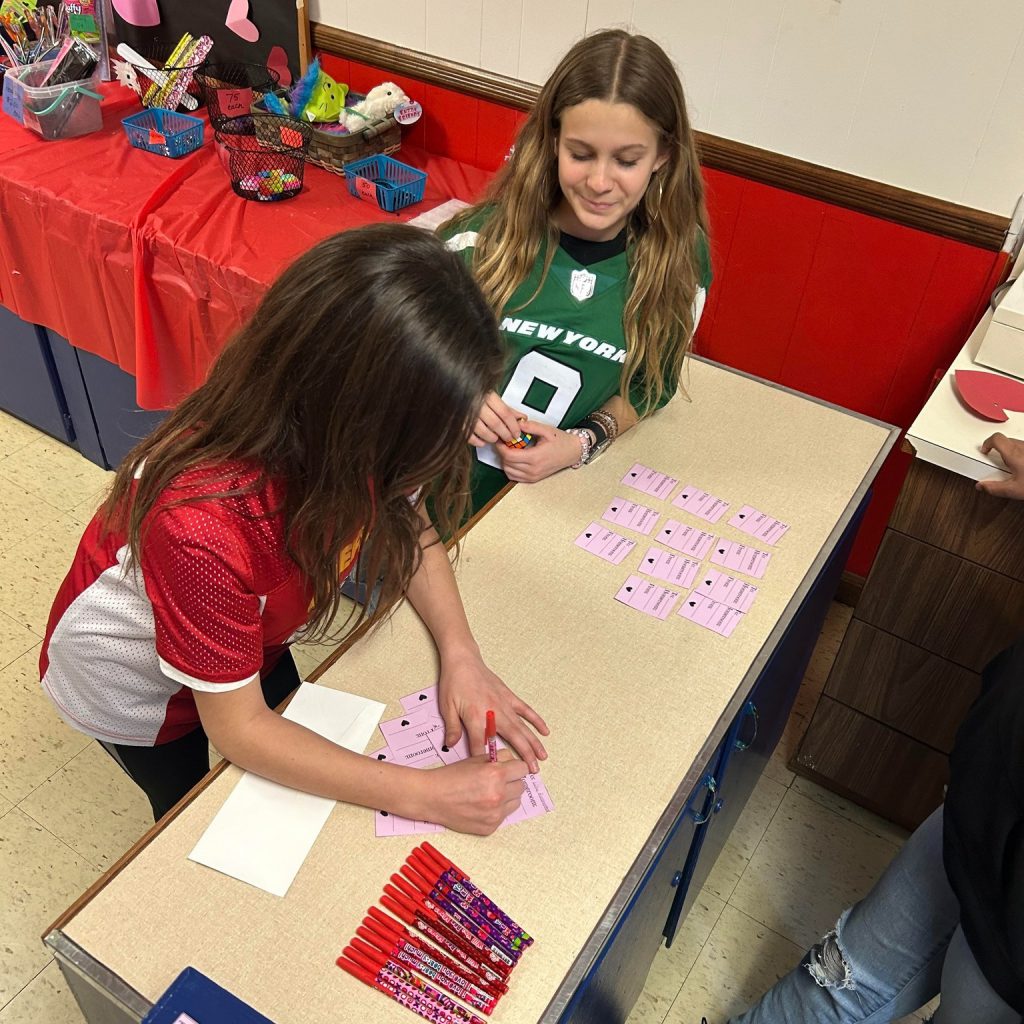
[642, 713]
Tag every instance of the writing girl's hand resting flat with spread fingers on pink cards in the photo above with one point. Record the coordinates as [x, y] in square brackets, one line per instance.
[467, 691]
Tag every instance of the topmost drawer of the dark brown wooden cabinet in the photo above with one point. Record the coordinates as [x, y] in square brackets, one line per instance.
[947, 510]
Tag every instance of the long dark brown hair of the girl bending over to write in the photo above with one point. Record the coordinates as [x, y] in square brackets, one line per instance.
[356, 382]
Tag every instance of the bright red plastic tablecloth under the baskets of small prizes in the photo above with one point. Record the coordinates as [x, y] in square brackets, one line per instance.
[151, 263]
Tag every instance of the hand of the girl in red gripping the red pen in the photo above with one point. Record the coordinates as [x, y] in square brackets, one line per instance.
[474, 796]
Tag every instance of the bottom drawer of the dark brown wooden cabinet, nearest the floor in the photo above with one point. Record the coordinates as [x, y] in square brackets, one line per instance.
[880, 769]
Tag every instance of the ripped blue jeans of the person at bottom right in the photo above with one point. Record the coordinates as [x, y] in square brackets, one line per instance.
[892, 953]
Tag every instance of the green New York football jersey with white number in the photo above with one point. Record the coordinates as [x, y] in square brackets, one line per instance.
[567, 346]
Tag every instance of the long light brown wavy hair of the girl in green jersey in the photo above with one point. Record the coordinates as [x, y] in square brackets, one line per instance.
[664, 232]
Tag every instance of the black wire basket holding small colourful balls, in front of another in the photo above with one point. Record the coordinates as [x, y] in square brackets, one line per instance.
[265, 156]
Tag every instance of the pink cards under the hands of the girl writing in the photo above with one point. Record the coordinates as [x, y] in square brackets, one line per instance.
[417, 740]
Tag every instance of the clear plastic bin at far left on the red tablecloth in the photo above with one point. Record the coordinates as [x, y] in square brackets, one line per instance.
[53, 111]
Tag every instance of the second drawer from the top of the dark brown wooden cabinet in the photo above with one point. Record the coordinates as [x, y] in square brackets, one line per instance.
[938, 602]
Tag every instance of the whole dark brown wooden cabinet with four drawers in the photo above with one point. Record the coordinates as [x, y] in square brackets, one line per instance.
[946, 594]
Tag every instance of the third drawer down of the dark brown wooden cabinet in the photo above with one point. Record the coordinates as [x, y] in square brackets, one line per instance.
[903, 686]
